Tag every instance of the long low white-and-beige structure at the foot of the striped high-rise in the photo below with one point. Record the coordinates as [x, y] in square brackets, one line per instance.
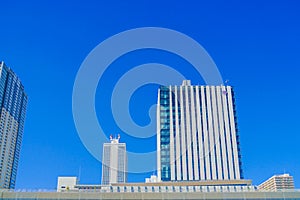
[67, 184]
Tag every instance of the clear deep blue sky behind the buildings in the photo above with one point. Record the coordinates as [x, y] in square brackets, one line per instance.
[256, 46]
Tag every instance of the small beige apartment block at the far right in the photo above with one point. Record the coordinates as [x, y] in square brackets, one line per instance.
[278, 182]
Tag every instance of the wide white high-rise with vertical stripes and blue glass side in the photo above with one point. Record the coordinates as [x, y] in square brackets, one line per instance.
[197, 134]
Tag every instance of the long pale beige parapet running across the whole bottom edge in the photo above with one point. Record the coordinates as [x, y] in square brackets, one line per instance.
[158, 193]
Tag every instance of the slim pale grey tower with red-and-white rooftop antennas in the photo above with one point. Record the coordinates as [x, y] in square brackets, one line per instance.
[114, 163]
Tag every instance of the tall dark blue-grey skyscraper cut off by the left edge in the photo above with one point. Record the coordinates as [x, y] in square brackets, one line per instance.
[13, 102]
